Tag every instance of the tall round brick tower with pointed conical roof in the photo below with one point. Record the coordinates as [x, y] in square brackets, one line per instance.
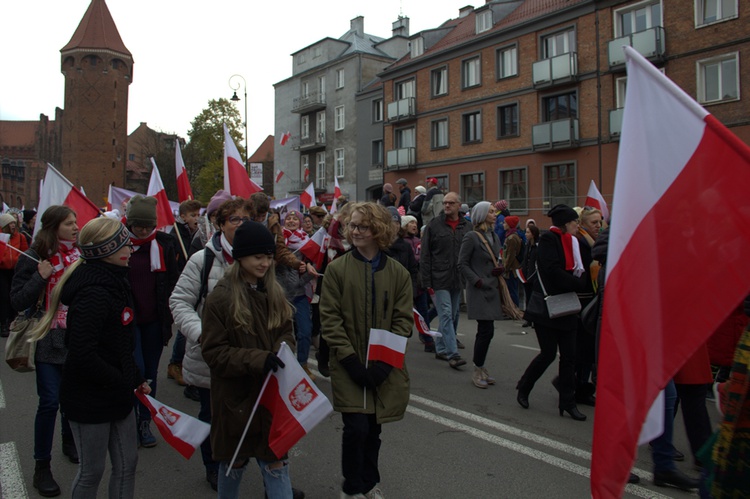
[98, 69]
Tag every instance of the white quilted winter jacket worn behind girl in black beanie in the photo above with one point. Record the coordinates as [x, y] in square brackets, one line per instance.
[187, 316]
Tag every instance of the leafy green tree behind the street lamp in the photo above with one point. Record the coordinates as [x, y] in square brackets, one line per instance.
[204, 154]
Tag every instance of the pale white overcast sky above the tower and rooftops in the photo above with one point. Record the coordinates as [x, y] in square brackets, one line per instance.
[185, 51]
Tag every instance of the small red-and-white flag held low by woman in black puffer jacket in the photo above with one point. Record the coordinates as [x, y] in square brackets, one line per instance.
[184, 433]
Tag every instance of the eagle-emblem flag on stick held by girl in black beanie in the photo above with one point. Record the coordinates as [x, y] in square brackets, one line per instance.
[295, 403]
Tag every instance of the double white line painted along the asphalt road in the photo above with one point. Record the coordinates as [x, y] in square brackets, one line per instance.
[527, 451]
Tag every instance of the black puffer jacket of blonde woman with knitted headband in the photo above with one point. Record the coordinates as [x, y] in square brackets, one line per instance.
[99, 374]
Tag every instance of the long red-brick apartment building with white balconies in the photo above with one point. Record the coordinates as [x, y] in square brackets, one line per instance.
[522, 100]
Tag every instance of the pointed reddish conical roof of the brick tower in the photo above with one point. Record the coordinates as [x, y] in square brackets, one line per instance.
[97, 30]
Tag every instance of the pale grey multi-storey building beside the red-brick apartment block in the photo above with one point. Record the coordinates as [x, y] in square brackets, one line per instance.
[318, 105]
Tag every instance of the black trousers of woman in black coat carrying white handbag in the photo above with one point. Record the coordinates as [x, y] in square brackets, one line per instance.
[549, 342]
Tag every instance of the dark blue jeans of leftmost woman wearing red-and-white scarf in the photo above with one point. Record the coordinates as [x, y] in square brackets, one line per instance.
[48, 377]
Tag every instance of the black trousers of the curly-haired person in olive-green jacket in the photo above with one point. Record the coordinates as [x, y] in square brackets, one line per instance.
[360, 448]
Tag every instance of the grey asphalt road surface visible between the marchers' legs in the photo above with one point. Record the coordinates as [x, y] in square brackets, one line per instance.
[456, 441]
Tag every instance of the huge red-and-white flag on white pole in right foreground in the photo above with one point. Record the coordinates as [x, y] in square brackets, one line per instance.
[654, 318]
